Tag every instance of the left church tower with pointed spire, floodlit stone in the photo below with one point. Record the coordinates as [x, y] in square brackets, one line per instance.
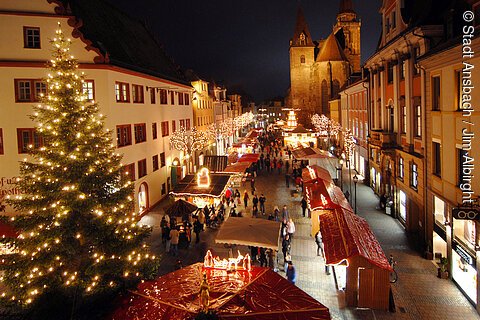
[302, 58]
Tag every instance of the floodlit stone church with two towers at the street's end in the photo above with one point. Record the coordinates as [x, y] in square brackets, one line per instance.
[320, 68]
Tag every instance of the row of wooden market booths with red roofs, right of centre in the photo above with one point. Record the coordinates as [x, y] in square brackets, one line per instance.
[360, 265]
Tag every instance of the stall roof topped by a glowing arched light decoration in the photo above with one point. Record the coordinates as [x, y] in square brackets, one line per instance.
[188, 186]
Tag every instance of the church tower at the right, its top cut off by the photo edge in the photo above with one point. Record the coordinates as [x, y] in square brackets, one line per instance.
[347, 32]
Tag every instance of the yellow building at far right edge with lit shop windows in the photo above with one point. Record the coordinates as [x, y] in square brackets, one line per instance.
[452, 131]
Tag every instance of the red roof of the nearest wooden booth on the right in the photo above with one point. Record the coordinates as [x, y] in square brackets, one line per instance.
[345, 235]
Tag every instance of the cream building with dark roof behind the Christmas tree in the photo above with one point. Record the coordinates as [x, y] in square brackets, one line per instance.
[141, 92]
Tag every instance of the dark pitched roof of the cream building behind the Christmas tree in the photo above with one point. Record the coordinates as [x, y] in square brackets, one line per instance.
[126, 41]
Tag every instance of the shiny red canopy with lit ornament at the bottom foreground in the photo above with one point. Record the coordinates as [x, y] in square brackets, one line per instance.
[260, 294]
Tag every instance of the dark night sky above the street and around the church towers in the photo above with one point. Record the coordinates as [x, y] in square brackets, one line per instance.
[244, 44]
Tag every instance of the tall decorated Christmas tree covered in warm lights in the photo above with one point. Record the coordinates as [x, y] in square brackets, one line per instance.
[78, 232]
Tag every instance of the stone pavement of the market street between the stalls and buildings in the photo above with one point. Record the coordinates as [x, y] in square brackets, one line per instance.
[418, 293]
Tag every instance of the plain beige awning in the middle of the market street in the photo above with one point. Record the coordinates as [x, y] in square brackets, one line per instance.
[249, 232]
